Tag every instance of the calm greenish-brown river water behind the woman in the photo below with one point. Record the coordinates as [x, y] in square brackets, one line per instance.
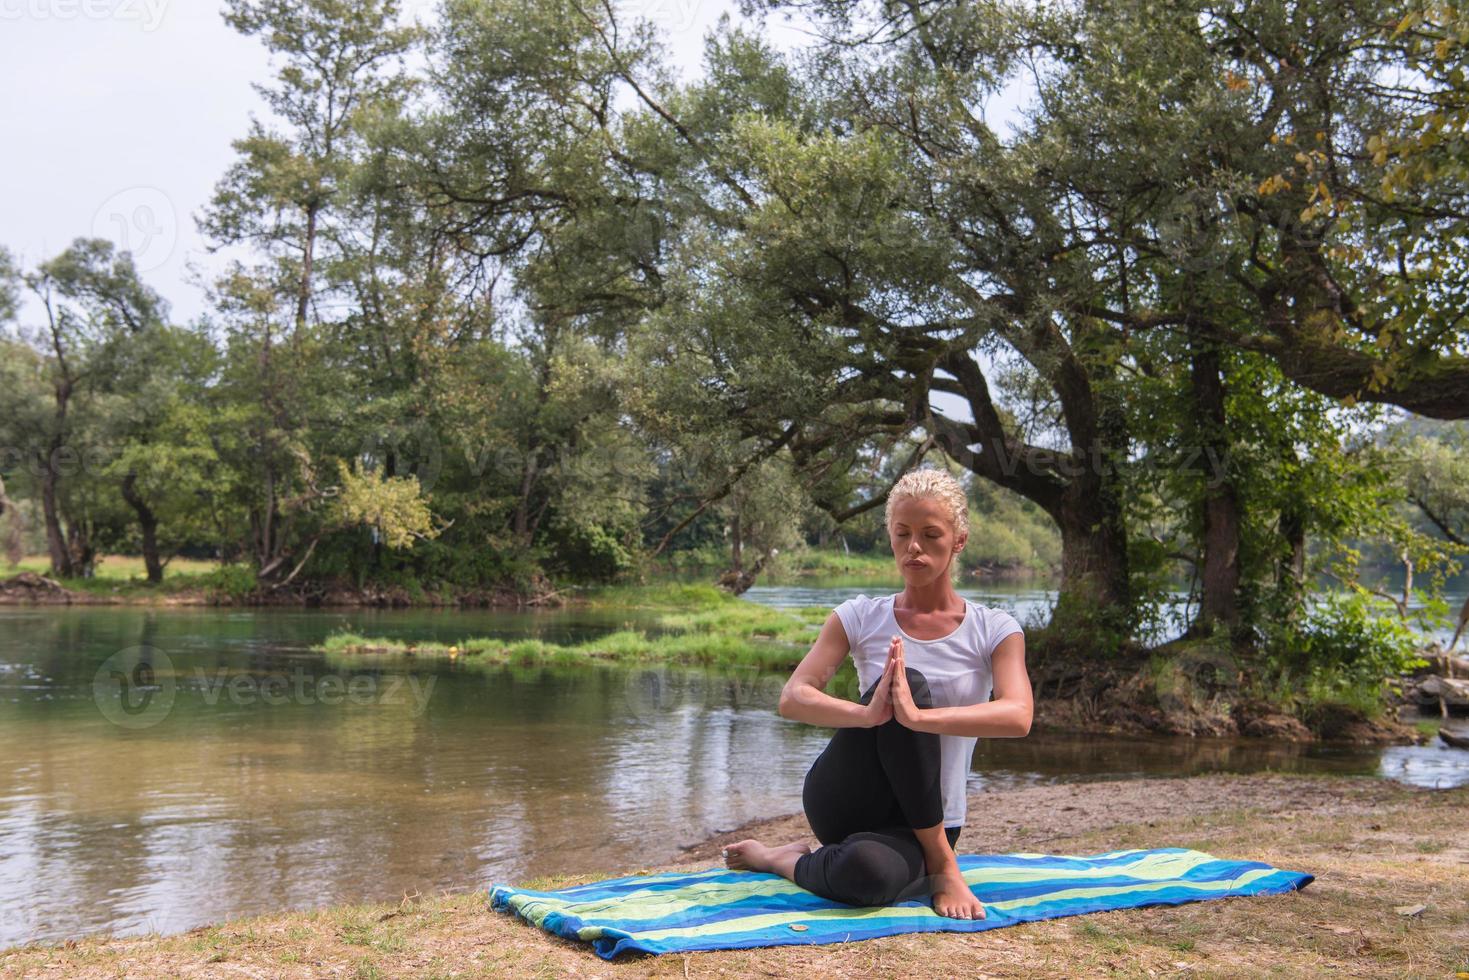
[252, 775]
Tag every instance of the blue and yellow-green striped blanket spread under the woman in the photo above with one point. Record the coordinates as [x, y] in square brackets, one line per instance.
[719, 909]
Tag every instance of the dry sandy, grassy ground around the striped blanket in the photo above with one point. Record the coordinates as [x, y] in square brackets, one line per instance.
[1389, 901]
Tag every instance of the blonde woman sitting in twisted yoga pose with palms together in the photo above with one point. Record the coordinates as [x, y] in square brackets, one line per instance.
[887, 797]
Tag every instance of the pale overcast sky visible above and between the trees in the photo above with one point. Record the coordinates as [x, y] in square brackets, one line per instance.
[121, 114]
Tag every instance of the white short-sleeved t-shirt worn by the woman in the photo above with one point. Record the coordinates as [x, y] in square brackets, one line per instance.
[957, 668]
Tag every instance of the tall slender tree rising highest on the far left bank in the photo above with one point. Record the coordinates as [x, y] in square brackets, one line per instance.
[286, 198]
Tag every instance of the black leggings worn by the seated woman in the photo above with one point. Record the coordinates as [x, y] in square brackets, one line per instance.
[865, 794]
